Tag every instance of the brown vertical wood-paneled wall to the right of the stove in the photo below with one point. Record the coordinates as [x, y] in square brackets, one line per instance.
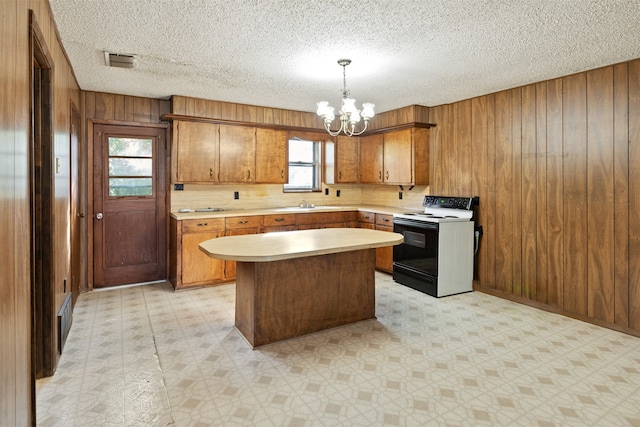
[557, 167]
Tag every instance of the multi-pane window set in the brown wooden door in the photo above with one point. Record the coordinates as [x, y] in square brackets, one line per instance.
[130, 167]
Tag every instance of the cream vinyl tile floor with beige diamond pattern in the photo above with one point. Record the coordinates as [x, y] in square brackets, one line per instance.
[146, 356]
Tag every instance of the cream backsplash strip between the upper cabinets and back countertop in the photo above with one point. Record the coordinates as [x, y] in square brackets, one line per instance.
[256, 196]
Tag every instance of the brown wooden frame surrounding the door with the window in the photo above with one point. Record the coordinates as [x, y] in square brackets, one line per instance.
[91, 123]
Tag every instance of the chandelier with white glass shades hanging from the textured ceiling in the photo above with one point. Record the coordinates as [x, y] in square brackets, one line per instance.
[350, 116]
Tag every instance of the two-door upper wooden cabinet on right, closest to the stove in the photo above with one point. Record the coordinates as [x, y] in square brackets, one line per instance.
[399, 157]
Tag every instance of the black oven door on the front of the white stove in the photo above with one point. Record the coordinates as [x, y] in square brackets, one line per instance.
[419, 251]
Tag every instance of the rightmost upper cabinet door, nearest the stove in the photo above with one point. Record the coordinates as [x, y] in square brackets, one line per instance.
[398, 157]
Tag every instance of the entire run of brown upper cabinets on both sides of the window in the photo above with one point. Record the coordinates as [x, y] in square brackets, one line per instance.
[210, 152]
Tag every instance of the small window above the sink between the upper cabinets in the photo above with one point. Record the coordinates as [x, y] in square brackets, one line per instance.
[304, 166]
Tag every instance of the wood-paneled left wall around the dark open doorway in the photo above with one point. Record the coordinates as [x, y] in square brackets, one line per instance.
[16, 382]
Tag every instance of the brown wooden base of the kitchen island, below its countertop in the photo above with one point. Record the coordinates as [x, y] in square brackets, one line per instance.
[288, 298]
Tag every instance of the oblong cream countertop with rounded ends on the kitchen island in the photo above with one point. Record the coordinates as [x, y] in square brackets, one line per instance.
[296, 244]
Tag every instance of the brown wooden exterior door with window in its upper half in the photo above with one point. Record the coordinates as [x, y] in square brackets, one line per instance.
[129, 231]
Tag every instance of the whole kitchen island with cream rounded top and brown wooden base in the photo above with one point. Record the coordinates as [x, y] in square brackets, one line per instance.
[293, 283]
